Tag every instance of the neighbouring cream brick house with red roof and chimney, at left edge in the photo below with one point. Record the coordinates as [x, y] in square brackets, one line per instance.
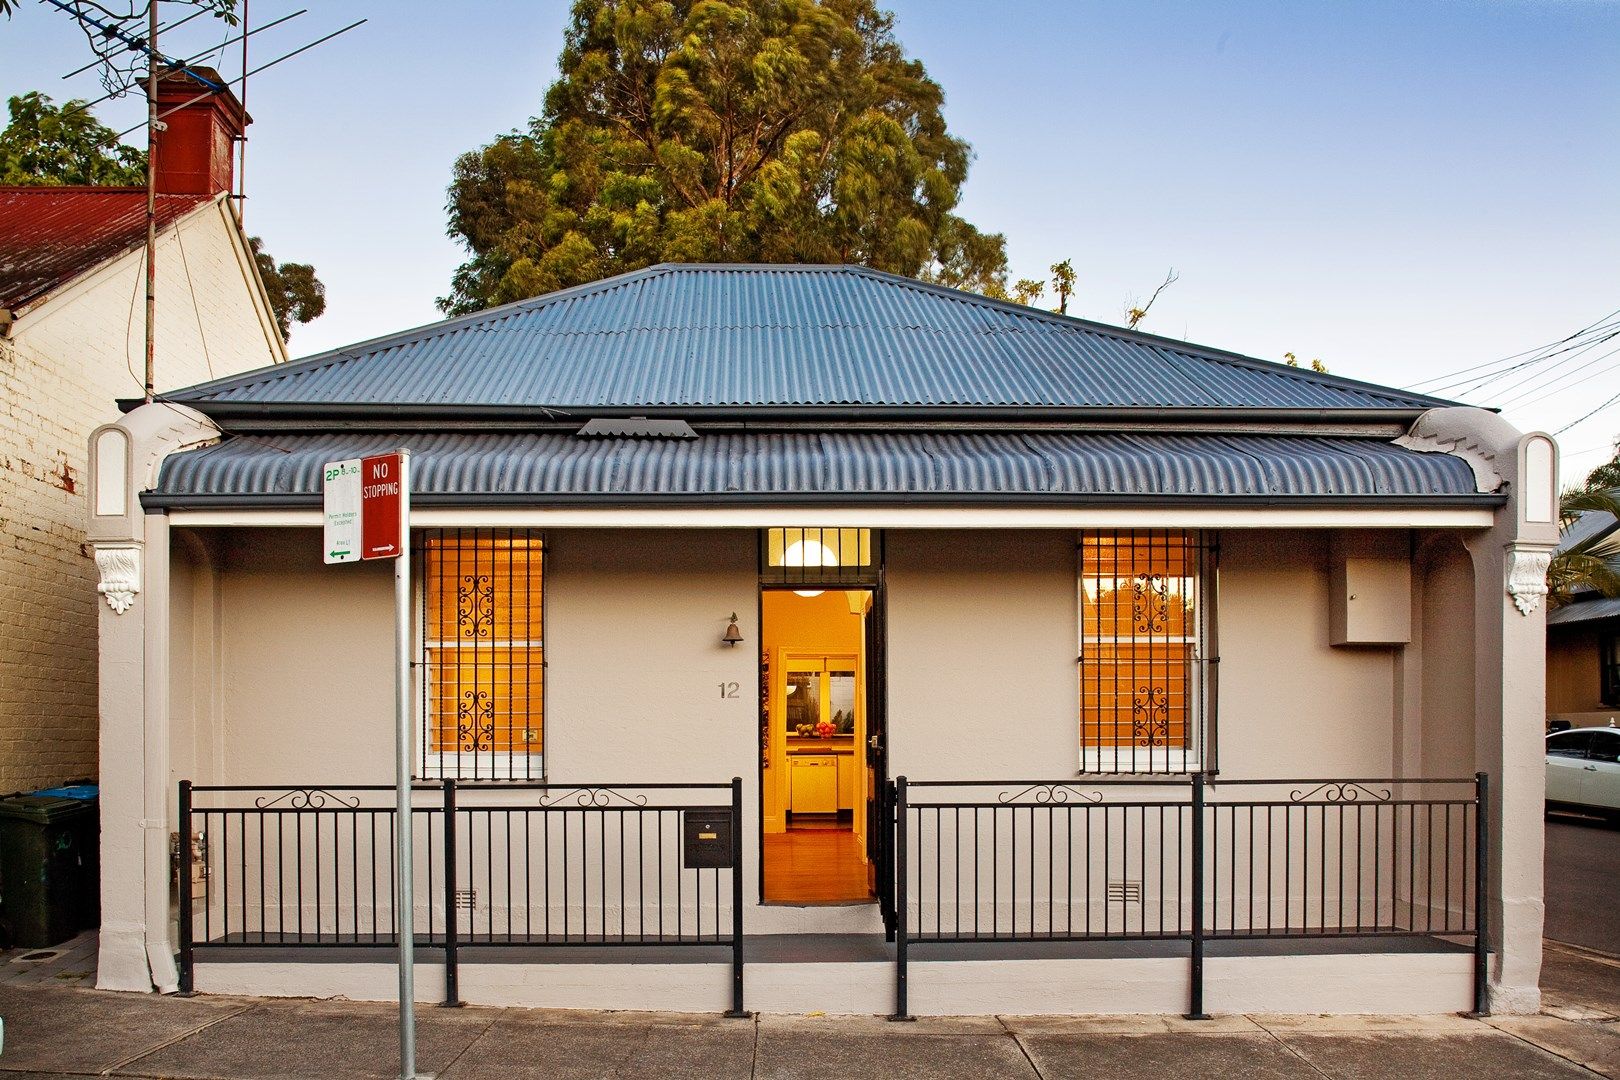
[72, 268]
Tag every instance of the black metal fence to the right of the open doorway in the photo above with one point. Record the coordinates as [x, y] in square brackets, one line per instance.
[1188, 861]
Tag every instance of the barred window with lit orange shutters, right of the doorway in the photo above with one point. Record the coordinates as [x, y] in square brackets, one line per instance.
[1145, 652]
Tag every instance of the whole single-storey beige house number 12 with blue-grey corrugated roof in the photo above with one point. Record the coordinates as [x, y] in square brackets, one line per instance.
[809, 639]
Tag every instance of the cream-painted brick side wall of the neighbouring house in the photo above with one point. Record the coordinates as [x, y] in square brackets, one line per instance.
[61, 373]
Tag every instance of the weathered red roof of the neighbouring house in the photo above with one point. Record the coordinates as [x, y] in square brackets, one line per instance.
[53, 236]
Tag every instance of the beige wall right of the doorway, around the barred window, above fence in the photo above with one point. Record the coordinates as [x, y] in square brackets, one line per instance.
[984, 640]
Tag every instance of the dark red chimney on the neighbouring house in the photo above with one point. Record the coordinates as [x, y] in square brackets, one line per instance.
[197, 148]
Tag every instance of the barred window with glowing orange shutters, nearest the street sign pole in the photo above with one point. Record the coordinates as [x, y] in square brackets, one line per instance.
[482, 655]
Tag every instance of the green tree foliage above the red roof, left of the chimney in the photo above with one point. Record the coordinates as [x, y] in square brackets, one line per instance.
[64, 145]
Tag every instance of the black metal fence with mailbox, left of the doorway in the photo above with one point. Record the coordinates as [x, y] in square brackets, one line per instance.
[514, 865]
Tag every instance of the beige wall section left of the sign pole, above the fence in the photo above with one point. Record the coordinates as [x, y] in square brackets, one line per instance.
[286, 670]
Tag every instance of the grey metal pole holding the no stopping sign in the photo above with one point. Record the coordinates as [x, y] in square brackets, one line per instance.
[403, 750]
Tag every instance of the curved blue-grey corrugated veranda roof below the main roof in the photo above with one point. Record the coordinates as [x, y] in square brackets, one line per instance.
[798, 466]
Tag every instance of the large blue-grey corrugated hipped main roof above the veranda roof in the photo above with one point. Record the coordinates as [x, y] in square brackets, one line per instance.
[717, 338]
